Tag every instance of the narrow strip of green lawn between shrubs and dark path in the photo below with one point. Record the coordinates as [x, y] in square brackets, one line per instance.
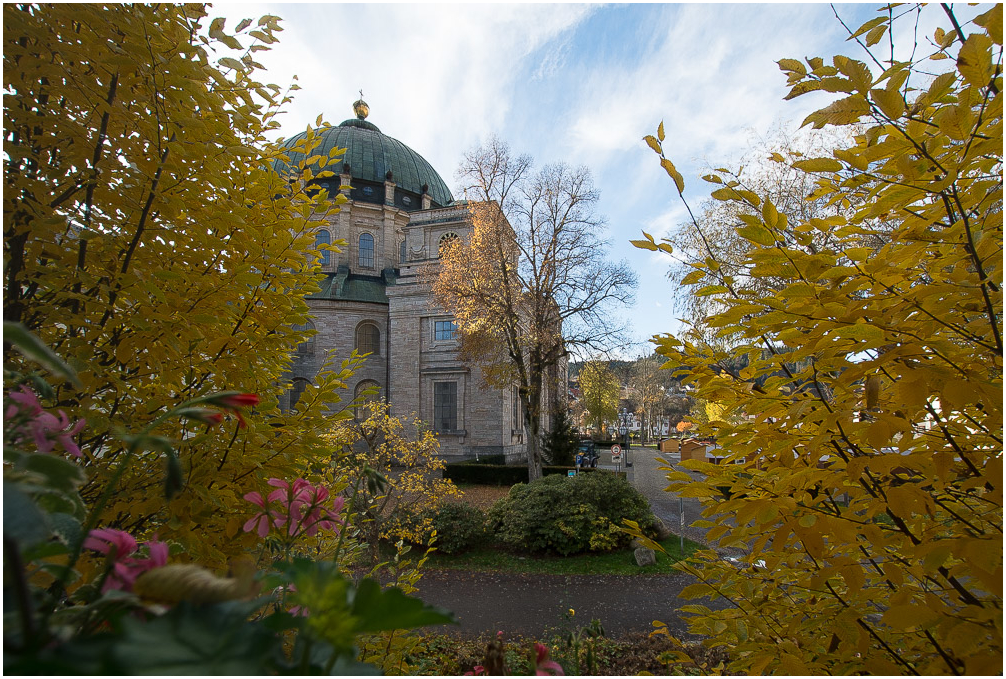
[612, 564]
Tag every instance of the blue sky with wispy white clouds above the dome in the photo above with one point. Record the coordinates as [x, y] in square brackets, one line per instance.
[581, 84]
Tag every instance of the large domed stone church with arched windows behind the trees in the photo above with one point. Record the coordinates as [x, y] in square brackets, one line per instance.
[399, 216]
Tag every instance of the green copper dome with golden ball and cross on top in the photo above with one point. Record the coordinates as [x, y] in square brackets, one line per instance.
[372, 155]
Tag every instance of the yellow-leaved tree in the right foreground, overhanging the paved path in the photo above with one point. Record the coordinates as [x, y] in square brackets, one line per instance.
[867, 487]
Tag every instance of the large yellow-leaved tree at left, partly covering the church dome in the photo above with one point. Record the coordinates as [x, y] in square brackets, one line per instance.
[149, 243]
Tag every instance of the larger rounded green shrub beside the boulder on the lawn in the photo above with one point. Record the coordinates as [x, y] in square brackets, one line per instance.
[569, 516]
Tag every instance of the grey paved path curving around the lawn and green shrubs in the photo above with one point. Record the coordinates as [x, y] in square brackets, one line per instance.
[538, 605]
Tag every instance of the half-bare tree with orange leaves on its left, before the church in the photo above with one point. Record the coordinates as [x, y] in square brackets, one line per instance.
[531, 284]
